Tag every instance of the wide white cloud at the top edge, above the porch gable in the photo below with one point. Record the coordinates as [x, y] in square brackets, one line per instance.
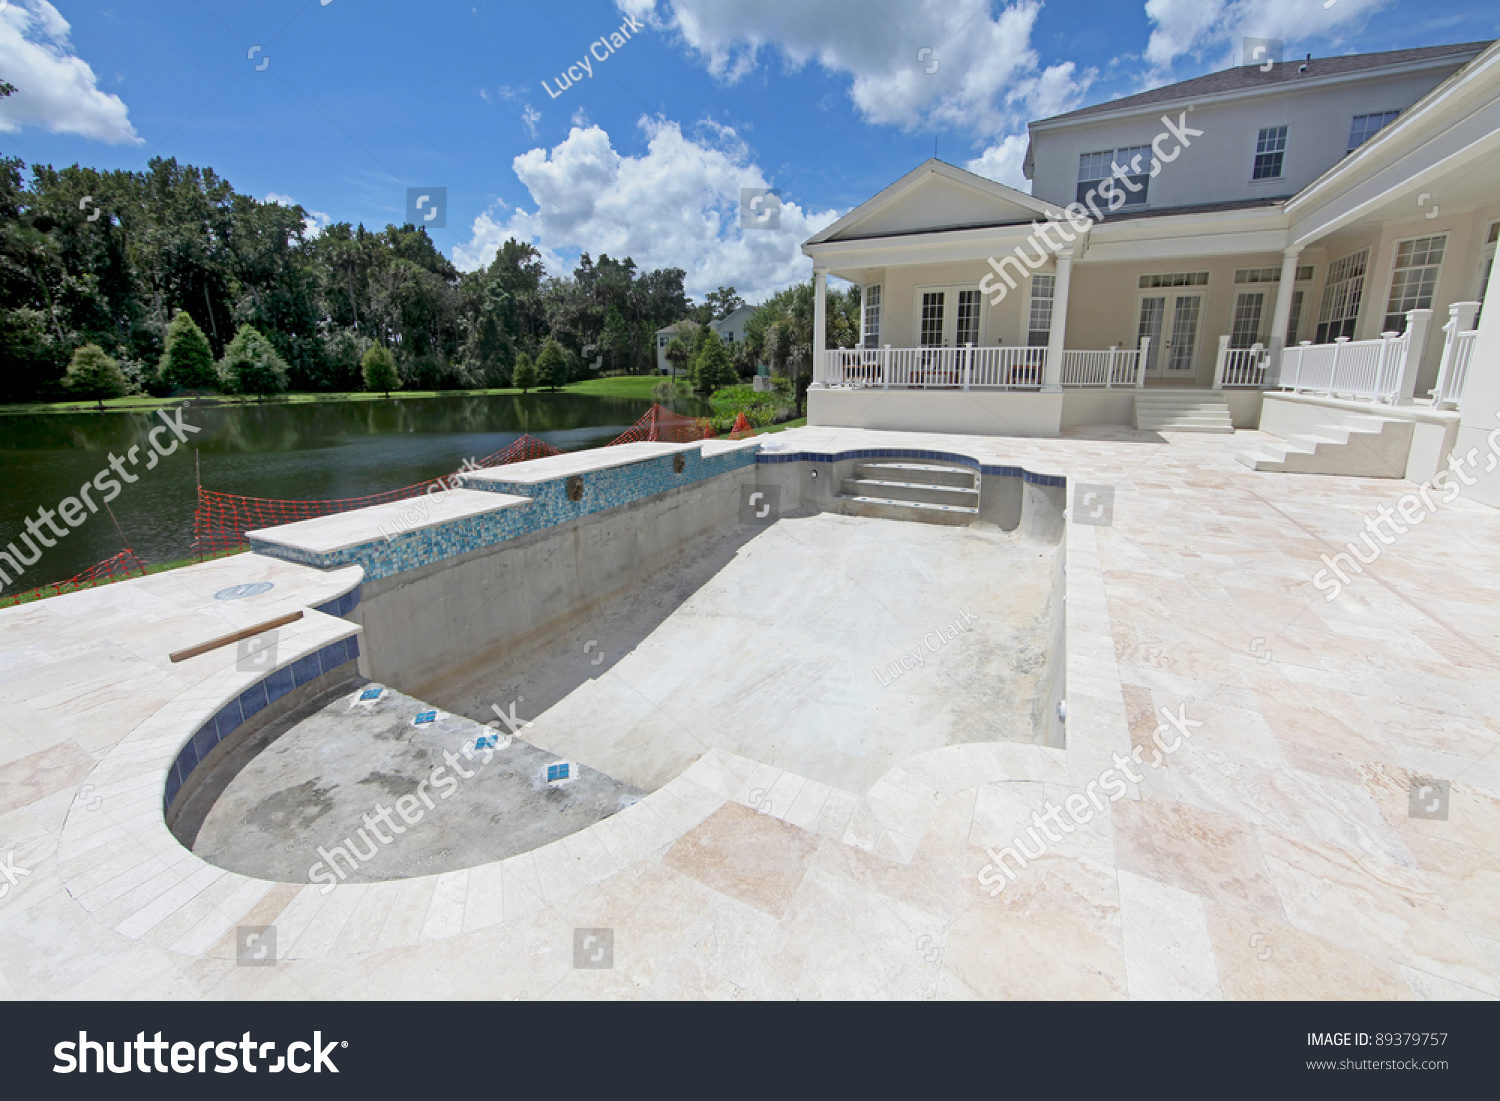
[983, 70]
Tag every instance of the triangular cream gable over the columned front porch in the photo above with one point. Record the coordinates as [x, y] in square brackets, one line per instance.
[935, 197]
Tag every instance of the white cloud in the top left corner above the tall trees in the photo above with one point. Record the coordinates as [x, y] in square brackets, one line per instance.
[55, 89]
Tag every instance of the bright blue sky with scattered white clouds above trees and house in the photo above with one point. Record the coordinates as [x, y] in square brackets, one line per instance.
[350, 103]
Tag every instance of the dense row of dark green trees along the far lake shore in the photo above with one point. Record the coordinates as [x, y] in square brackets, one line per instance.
[169, 280]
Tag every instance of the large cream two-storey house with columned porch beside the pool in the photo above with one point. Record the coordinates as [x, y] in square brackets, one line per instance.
[1315, 202]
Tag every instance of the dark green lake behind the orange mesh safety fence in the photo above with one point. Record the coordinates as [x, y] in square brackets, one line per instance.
[298, 452]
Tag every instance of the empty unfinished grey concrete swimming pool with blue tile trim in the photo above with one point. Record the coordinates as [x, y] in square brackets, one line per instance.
[832, 646]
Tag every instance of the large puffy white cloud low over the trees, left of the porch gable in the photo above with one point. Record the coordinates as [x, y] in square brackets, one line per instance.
[674, 206]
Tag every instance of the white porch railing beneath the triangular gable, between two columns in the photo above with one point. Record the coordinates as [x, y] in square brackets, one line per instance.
[965, 368]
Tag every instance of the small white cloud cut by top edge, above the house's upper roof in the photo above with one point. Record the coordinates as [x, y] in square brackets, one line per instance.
[1196, 26]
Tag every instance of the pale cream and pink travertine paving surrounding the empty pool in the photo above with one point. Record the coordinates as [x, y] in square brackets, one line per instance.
[1270, 857]
